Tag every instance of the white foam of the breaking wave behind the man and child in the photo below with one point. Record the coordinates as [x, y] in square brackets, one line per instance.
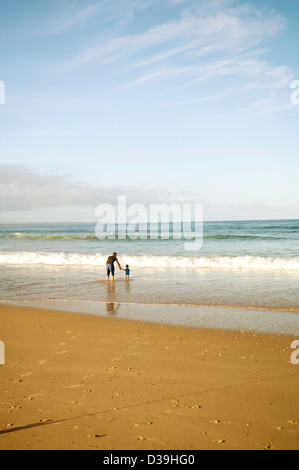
[79, 259]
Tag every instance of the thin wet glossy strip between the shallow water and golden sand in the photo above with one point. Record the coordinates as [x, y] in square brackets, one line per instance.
[272, 321]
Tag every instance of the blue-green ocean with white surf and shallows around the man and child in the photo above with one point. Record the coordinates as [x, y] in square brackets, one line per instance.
[243, 270]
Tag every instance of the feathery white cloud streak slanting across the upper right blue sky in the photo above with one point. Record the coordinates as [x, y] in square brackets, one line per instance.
[201, 30]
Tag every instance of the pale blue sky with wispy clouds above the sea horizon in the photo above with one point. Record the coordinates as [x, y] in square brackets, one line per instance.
[185, 101]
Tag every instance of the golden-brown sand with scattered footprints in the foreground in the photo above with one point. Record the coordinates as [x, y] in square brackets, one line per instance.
[76, 381]
